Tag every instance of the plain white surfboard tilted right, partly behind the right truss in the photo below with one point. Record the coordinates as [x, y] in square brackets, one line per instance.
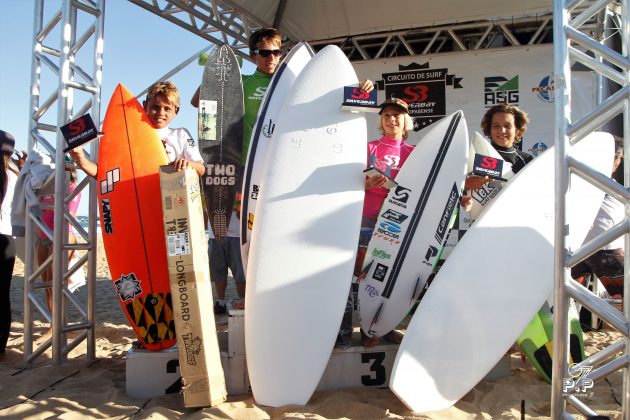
[493, 282]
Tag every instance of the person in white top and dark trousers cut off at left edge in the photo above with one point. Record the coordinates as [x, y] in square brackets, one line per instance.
[8, 178]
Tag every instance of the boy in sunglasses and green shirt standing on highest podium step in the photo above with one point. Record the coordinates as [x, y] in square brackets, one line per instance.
[265, 48]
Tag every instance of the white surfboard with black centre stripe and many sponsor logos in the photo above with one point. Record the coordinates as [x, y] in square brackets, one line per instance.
[412, 226]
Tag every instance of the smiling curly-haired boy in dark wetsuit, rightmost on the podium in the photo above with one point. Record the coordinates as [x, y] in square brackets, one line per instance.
[505, 126]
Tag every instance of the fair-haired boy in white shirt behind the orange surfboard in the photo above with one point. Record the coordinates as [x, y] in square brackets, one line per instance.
[161, 106]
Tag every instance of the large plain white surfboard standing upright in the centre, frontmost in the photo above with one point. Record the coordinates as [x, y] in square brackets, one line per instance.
[304, 241]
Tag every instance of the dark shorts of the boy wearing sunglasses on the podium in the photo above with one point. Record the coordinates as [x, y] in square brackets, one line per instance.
[225, 254]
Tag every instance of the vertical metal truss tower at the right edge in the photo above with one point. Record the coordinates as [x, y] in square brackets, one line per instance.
[573, 44]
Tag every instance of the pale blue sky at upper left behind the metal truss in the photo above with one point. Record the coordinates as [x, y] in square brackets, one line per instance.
[139, 48]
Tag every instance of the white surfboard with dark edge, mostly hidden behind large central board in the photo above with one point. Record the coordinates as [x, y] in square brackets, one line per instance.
[283, 78]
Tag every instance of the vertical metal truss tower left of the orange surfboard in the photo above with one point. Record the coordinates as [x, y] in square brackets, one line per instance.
[65, 83]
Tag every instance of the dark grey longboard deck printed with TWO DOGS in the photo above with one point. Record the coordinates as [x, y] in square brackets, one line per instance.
[221, 135]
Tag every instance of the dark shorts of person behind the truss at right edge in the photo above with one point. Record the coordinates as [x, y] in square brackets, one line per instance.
[607, 264]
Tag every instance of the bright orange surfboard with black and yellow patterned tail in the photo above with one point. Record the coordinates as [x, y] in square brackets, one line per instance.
[132, 226]
